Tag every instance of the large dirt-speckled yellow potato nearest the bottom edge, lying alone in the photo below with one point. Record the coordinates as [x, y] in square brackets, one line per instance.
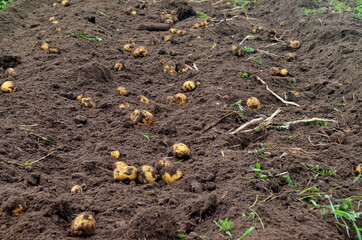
[83, 225]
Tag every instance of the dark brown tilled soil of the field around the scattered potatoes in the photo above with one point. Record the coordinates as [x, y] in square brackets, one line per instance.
[217, 180]
